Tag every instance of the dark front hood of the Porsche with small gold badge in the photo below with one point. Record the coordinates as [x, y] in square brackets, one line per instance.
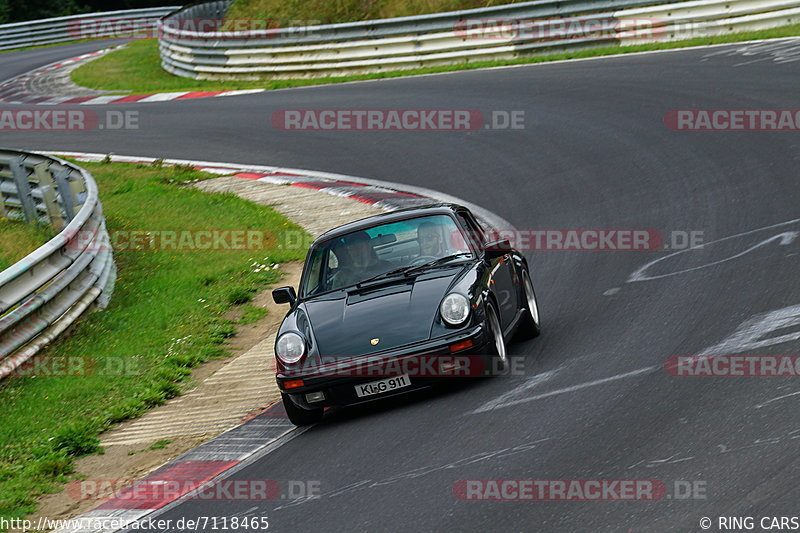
[397, 313]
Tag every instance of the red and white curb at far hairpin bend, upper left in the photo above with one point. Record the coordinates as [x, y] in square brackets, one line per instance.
[18, 90]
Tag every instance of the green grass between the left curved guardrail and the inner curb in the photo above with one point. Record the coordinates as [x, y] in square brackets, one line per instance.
[166, 316]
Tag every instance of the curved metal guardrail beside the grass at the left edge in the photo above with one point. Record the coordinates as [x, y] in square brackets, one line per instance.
[44, 293]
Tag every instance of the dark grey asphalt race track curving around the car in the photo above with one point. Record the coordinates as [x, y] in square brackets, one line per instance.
[595, 401]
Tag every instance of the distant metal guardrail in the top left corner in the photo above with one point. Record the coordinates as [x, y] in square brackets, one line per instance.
[76, 27]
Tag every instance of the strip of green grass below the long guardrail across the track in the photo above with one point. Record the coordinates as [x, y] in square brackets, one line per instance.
[137, 68]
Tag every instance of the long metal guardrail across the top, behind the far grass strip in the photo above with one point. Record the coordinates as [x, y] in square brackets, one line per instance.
[443, 38]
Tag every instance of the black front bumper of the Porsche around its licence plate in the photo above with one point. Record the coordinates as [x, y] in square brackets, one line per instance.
[424, 363]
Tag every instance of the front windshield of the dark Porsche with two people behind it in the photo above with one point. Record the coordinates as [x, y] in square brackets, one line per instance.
[362, 255]
